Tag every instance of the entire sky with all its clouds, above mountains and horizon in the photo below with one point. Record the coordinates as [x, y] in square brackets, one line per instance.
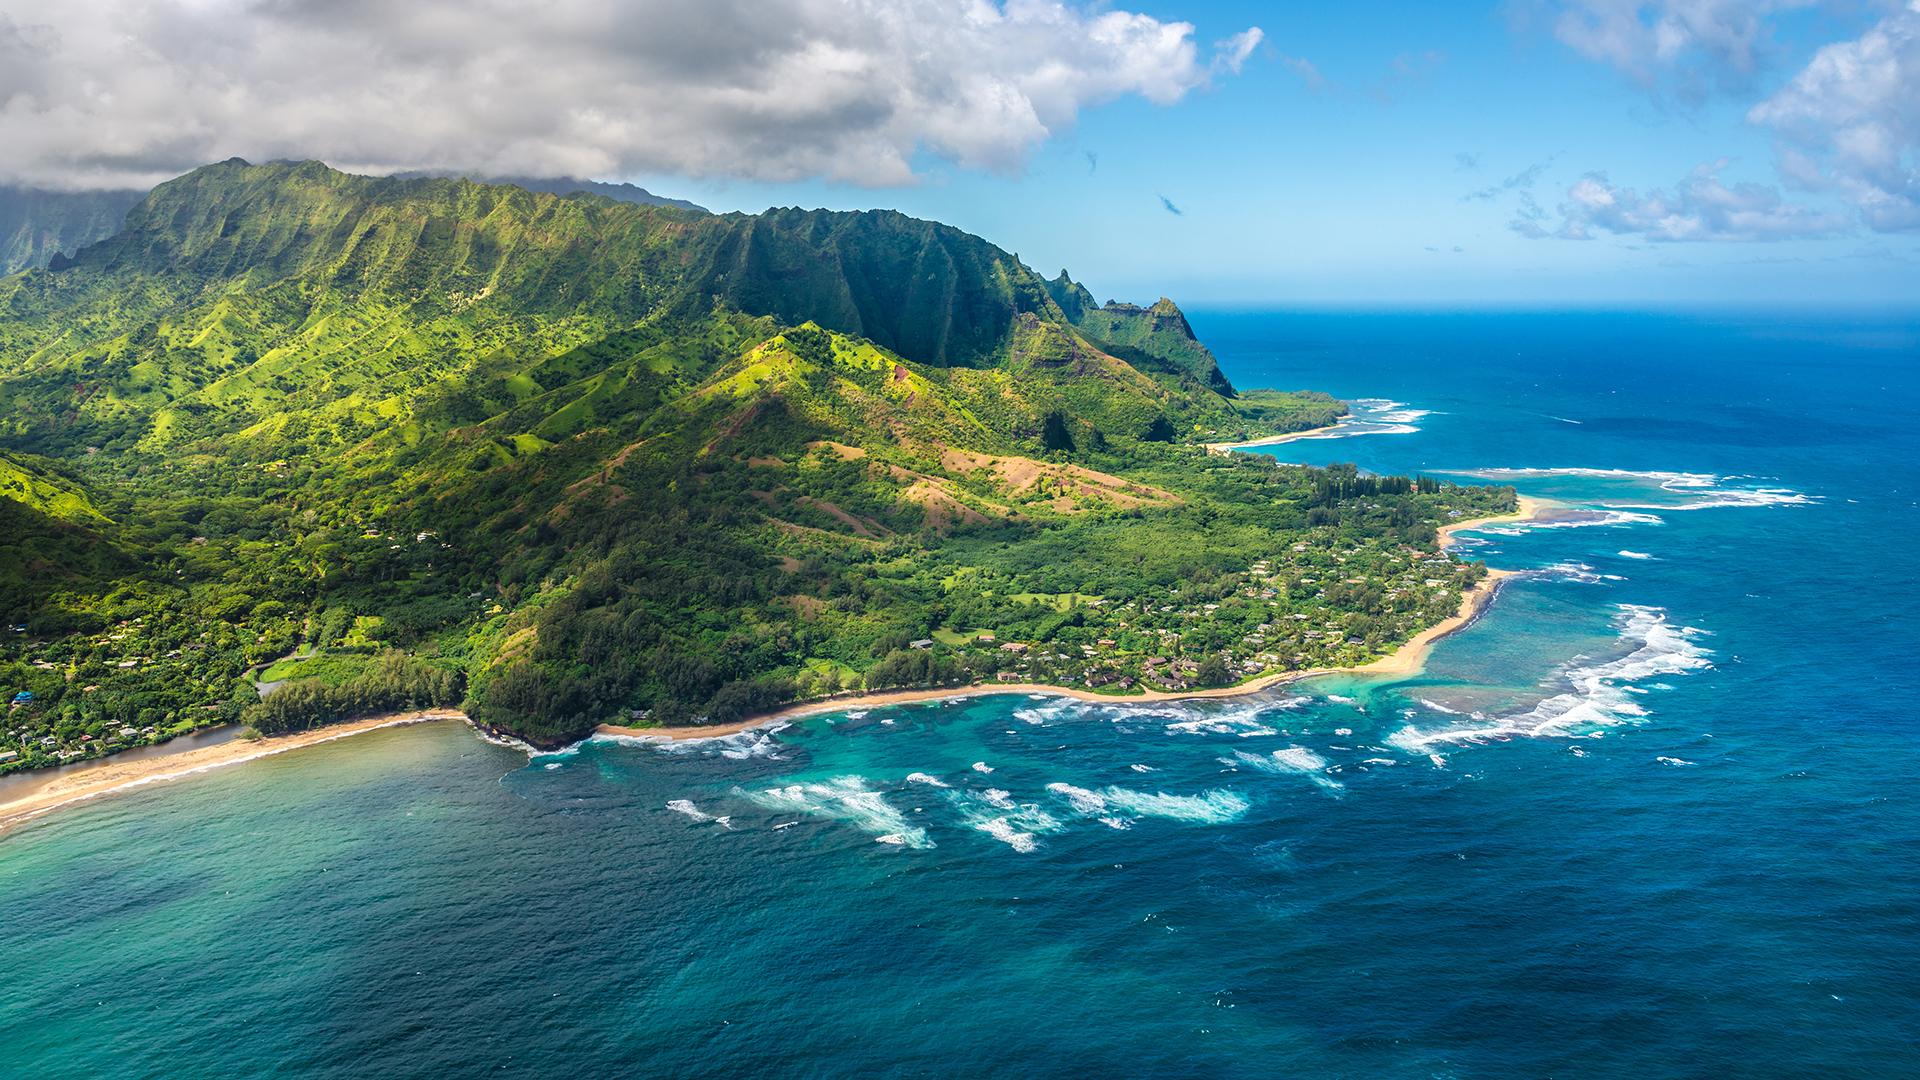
[1562, 153]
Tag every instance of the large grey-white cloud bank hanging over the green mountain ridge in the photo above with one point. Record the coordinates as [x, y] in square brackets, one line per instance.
[112, 93]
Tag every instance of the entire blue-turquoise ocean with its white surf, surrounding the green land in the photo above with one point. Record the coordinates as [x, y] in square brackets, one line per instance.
[1654, 816]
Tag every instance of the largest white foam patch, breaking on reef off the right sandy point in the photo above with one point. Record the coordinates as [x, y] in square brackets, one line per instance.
[1598, 695]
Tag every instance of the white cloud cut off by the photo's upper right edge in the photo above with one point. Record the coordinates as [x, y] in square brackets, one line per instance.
[1850, 122]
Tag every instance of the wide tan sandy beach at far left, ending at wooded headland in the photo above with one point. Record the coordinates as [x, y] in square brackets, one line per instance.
[124, 775]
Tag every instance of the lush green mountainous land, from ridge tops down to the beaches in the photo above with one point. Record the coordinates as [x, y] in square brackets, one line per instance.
[389, 445]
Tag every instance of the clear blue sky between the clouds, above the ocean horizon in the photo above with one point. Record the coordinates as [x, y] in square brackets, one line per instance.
[1349, 185]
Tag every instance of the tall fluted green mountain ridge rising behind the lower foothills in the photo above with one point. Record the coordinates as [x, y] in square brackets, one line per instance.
[243, 295]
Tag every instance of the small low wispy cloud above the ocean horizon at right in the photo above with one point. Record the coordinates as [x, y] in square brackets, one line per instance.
[1700, 209]
